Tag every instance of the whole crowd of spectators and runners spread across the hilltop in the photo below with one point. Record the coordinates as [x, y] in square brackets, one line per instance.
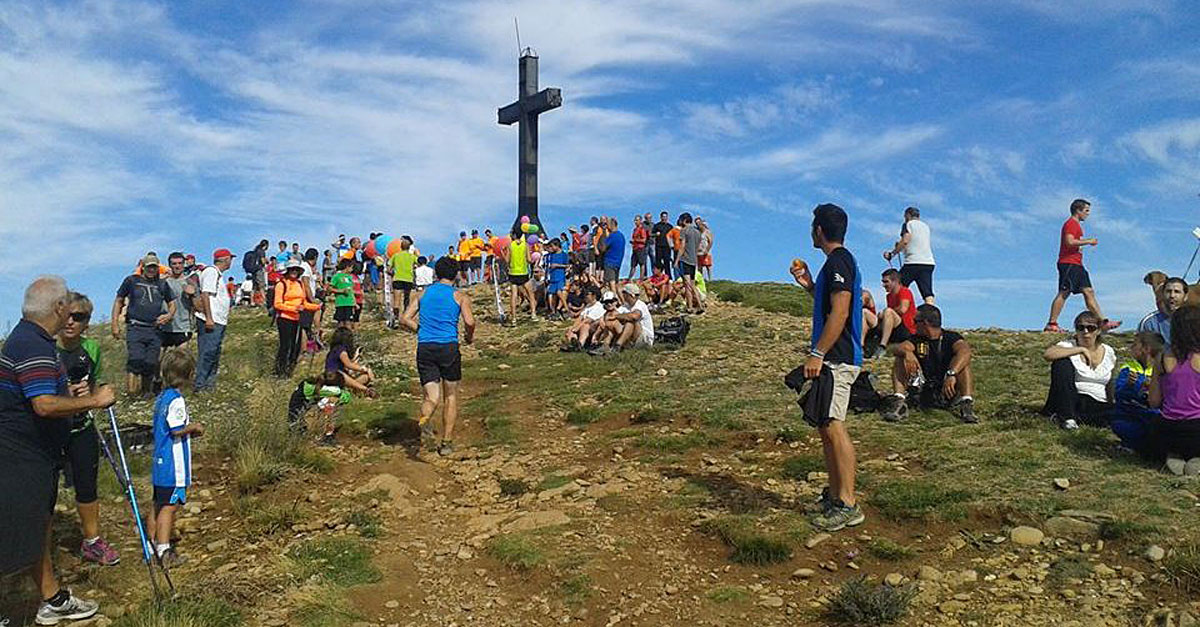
[51, 372]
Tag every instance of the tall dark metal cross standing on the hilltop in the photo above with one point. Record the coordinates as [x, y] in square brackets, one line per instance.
[525, 114]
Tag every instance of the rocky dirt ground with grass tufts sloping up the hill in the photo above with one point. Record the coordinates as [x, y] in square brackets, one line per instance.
[664, 489]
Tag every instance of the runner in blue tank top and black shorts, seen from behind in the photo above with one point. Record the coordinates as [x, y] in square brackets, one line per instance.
[435, 319]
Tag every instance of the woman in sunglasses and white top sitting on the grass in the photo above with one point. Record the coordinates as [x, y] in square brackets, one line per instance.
[1079, 374]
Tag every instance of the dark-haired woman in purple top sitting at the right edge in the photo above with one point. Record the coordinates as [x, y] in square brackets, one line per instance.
[1175, 389]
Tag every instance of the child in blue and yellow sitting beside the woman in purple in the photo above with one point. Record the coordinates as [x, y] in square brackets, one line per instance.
[1132, 416]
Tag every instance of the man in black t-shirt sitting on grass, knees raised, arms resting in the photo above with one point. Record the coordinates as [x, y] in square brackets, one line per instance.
[934, 366]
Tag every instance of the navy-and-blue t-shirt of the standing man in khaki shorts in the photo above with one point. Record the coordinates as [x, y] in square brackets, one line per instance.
[841, 274]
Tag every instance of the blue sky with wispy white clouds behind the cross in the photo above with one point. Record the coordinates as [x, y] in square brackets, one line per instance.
[128, 127]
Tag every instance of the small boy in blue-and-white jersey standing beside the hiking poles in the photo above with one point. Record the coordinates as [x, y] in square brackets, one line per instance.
[172, 471]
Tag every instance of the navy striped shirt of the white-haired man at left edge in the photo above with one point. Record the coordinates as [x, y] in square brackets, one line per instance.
[31, 368]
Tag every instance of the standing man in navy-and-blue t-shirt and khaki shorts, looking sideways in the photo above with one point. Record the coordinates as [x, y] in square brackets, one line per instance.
[836, 347]
